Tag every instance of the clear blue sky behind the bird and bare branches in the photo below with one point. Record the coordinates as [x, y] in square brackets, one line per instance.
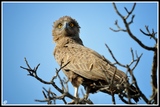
[27, 32]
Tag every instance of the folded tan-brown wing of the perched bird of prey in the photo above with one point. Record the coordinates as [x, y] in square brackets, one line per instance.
[86, 62]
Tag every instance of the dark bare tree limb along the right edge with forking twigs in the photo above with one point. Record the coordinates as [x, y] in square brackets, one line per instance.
[154, 66]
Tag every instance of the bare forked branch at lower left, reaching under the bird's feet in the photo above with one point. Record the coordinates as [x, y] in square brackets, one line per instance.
[49, 96]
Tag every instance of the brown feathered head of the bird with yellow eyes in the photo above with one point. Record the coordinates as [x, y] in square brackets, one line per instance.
[65, 27]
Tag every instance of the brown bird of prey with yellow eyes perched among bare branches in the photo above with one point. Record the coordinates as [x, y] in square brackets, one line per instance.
[84, 66]
